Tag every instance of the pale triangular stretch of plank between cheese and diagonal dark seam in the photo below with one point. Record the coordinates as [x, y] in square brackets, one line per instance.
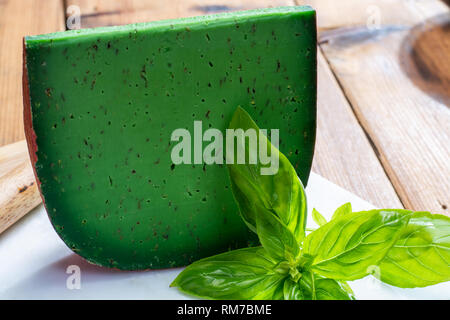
[343, 153]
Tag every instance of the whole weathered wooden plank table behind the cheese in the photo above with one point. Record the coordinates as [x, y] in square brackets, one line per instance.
[384, 86]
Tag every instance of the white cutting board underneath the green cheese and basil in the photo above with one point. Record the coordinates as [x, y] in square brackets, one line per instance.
[34, 261]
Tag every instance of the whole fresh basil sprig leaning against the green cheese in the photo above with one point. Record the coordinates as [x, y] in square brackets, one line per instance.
[403, 248]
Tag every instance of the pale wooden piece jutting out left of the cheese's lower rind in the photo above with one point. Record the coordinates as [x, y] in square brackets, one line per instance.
[18, 190]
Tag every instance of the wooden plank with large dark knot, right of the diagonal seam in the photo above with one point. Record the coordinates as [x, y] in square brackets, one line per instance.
[408, 123]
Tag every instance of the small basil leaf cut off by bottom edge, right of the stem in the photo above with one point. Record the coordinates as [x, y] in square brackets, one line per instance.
[315, 287]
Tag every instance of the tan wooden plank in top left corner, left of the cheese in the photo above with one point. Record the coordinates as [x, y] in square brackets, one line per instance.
[17, 19]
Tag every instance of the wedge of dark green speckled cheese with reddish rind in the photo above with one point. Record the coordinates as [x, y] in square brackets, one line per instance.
[101, 105]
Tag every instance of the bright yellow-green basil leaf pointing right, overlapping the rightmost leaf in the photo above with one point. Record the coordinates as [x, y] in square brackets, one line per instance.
[348, 247]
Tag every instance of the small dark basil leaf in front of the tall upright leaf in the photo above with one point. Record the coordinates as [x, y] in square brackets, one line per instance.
[278, 240]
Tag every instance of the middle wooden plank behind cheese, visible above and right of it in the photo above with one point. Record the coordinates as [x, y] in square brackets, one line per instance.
[354, 166]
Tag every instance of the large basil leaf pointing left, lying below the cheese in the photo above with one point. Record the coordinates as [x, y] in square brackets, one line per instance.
[243, 274]
